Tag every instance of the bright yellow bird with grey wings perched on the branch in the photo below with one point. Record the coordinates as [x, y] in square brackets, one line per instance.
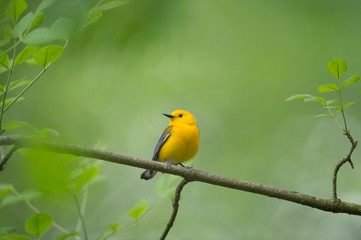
[178, 143]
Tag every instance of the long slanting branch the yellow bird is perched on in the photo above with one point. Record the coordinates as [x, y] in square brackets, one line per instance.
[328, 205]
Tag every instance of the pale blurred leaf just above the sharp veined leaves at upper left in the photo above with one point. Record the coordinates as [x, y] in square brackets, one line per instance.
[40, 36]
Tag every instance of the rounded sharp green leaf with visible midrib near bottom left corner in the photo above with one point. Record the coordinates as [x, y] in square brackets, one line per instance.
[38, 224]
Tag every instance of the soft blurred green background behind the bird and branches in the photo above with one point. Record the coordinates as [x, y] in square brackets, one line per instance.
[230, 63]
